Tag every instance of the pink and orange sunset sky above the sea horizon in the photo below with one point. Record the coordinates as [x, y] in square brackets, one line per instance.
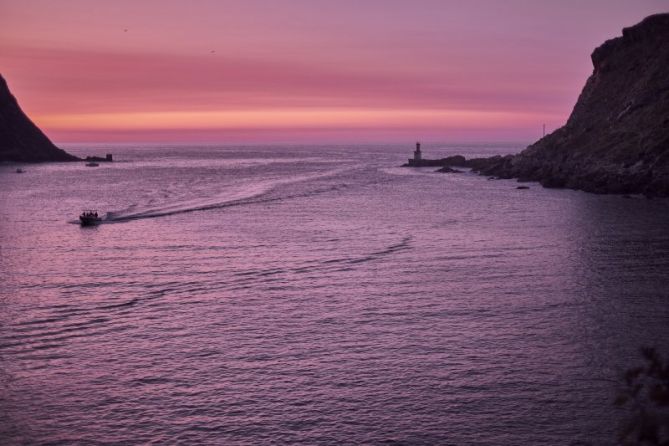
[291, 71]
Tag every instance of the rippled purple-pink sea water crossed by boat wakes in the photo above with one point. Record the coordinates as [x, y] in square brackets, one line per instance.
[317, 295]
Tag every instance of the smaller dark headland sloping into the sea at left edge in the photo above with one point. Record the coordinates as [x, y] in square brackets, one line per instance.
[20, 139]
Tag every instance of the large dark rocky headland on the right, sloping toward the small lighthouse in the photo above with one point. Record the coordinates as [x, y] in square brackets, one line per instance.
[617, 137]
